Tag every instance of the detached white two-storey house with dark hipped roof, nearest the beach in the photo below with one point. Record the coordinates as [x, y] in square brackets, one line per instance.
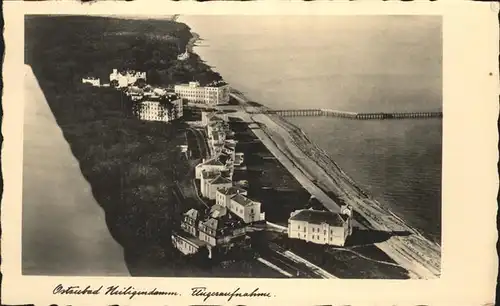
[321, 227]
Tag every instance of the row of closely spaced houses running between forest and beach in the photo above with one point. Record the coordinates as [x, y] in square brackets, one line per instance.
[224, 225]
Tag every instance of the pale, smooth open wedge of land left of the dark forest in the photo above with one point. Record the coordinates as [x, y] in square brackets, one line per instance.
[64, 229]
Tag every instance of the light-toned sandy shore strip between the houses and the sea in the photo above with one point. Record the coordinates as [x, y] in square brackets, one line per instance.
[319, 175]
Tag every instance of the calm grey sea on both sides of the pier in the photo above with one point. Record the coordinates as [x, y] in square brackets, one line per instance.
[363, 63]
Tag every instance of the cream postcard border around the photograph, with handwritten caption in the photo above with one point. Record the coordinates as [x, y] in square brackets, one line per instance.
[470, 179]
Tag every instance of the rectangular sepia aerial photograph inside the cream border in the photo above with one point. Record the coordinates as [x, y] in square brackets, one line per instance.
[233, 146]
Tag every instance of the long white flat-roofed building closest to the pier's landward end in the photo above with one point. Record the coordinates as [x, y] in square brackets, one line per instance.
[216, 93]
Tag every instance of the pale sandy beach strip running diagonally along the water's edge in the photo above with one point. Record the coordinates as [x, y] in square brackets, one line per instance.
[412, 249]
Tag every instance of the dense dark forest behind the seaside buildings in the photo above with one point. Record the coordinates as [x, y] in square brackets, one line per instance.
[131, 165]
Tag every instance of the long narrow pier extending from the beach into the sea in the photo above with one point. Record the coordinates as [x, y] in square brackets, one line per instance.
[352, 115]
